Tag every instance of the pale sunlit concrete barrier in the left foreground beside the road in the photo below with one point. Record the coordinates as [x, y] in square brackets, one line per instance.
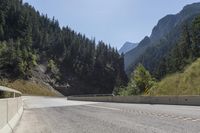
[11, 110]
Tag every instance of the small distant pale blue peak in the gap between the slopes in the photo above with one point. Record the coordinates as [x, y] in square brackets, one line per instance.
[127, 47]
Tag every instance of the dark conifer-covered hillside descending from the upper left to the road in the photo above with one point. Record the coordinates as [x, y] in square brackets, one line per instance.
[35, 48]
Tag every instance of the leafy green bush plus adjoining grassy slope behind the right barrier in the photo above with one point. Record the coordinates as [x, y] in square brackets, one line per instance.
[180, 83]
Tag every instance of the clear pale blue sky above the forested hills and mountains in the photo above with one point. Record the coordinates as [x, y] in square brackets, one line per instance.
[113, 21]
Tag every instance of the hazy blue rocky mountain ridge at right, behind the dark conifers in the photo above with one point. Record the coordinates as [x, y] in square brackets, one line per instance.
[164, 36]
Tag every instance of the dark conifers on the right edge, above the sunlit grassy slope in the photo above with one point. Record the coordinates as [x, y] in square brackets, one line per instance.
[185, 51]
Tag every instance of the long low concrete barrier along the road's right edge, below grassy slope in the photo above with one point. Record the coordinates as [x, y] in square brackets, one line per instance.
[172, 100]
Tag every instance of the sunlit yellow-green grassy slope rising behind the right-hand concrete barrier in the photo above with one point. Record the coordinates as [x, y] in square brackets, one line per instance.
[186, 83]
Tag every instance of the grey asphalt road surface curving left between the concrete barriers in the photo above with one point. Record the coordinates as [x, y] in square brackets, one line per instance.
[58, 115]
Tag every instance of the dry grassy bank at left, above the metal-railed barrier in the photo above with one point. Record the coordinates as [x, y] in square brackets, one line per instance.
[28, 87]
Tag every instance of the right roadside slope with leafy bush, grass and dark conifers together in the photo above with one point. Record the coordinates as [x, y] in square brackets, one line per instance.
[177, 74]
